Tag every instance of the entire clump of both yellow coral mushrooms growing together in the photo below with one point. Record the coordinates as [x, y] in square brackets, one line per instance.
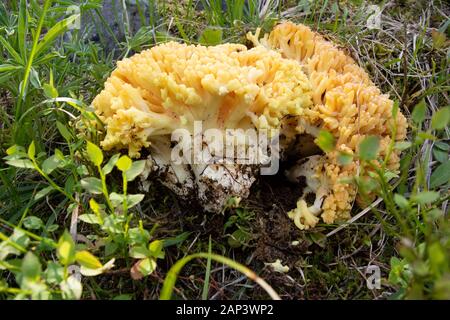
[292, 82]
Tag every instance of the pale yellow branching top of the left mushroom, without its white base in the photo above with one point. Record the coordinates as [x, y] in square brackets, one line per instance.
[172, 85]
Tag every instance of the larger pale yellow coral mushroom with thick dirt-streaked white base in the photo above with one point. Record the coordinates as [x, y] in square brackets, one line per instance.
[173, 85]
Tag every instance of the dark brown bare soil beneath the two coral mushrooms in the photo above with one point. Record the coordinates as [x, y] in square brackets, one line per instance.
[273, 233]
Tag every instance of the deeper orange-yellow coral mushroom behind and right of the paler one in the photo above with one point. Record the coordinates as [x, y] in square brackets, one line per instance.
[346, 103]
